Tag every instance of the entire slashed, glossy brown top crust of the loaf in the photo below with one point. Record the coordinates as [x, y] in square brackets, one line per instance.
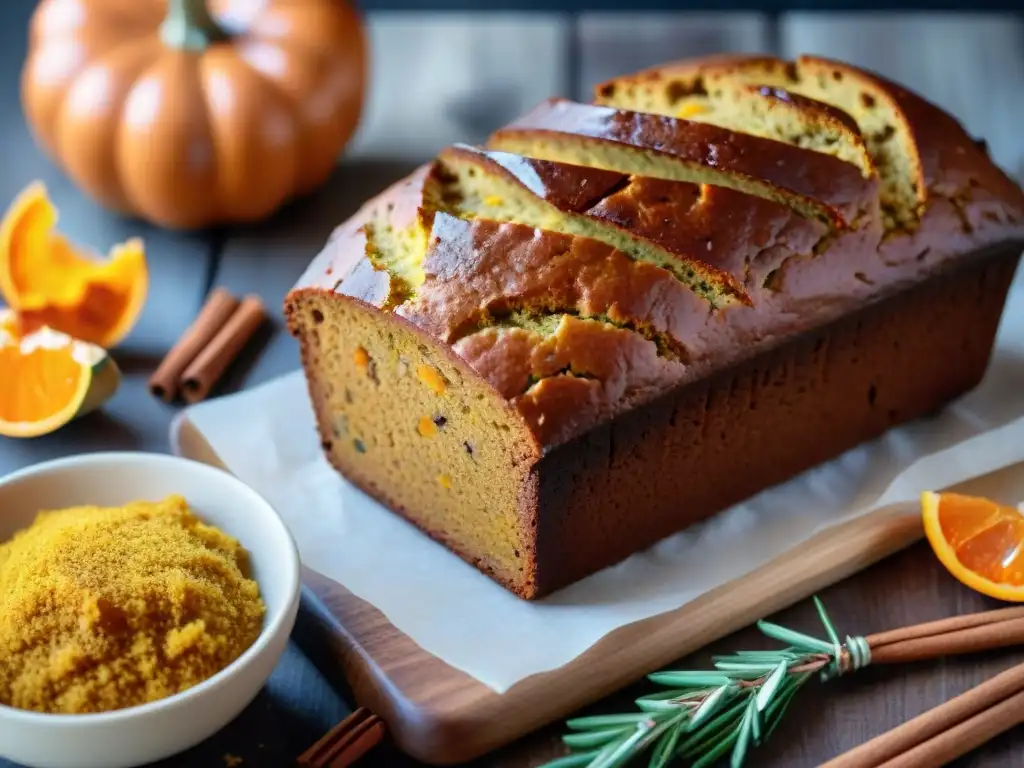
[593, 257]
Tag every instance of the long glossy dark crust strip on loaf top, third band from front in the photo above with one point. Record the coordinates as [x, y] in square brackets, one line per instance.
[814, 185]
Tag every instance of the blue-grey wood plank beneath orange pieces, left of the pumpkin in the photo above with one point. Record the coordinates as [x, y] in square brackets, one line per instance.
[179, 267]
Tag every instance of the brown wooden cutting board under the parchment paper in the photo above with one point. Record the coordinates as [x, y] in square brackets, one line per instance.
[442, 716]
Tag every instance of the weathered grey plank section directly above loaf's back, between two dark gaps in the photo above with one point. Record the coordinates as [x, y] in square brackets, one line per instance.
[614, 45]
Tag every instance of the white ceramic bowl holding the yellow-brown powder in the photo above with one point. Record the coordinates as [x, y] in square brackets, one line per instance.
[153, 732]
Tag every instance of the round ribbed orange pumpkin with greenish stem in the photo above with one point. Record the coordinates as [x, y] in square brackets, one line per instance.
[191, 116]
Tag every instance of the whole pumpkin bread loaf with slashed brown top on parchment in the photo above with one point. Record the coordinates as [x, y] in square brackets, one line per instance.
[620, 318]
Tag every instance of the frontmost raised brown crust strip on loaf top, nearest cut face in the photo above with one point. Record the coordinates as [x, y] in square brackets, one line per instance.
[483, 274]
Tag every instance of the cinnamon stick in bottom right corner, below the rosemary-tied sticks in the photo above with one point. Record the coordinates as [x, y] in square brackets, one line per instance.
[971, 709]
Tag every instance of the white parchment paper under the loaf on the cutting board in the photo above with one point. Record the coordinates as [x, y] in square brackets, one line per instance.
[267, 438]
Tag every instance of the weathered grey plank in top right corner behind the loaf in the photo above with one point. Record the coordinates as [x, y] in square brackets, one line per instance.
[972, 65]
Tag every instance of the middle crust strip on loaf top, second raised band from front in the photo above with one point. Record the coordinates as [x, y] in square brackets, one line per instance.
[722, 243]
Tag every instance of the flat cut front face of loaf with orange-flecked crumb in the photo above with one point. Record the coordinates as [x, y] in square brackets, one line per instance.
[432, 464]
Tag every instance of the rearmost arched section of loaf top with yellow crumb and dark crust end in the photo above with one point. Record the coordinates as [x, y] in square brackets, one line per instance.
[919, 150]
